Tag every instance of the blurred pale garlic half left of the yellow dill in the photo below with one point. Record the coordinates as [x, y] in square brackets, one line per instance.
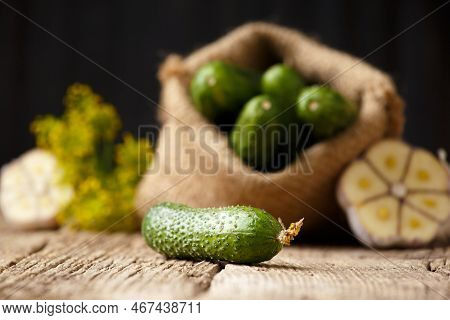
[31, 192]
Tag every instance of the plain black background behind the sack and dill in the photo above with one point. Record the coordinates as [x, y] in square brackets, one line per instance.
[130, 39]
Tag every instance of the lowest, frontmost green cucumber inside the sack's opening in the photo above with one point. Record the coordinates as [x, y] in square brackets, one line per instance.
[260, 130]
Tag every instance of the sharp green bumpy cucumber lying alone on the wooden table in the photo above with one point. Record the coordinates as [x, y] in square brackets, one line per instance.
[237, 234]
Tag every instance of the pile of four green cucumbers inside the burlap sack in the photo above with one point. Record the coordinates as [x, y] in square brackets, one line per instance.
[268, 110]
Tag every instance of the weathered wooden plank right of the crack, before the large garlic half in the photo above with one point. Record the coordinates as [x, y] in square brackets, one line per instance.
[333, 273]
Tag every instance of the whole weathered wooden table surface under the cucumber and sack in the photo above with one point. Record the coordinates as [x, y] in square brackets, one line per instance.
[69, 265]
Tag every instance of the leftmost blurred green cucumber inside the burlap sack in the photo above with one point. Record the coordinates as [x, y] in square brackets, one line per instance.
[220, 89]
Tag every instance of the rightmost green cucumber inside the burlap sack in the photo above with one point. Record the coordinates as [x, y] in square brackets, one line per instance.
[332, 113]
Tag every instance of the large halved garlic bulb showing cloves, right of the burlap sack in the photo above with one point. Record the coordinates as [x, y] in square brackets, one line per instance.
[396, 195]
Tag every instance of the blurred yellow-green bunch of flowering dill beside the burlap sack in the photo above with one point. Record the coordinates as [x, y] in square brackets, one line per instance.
[103, 175]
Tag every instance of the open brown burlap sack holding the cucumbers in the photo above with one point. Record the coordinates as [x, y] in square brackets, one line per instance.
[285, 194]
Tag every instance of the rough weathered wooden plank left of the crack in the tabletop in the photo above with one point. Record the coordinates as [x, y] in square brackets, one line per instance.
[103, 266]
